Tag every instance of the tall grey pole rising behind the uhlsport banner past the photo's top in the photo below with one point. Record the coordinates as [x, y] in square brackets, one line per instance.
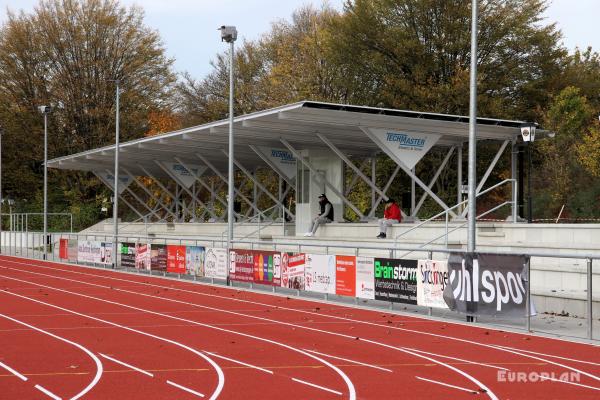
[472, 215]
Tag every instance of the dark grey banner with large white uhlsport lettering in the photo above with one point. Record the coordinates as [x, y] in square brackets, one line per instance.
[487, 284]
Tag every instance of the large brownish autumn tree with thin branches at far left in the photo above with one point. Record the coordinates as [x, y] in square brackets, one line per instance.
[68, 54]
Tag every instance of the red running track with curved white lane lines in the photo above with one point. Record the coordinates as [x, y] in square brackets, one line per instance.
[70, 332]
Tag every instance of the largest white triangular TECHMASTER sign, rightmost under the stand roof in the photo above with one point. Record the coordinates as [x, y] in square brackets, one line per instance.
[409, 147]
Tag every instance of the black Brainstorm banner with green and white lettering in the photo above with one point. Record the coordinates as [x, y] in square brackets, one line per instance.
[396, 280]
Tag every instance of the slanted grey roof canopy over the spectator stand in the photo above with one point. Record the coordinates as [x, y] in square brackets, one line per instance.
[303, 125]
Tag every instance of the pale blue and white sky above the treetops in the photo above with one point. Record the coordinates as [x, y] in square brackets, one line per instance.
[188, 27]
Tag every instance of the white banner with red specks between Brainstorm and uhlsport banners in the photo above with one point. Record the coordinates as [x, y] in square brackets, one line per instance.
[432, 279]
